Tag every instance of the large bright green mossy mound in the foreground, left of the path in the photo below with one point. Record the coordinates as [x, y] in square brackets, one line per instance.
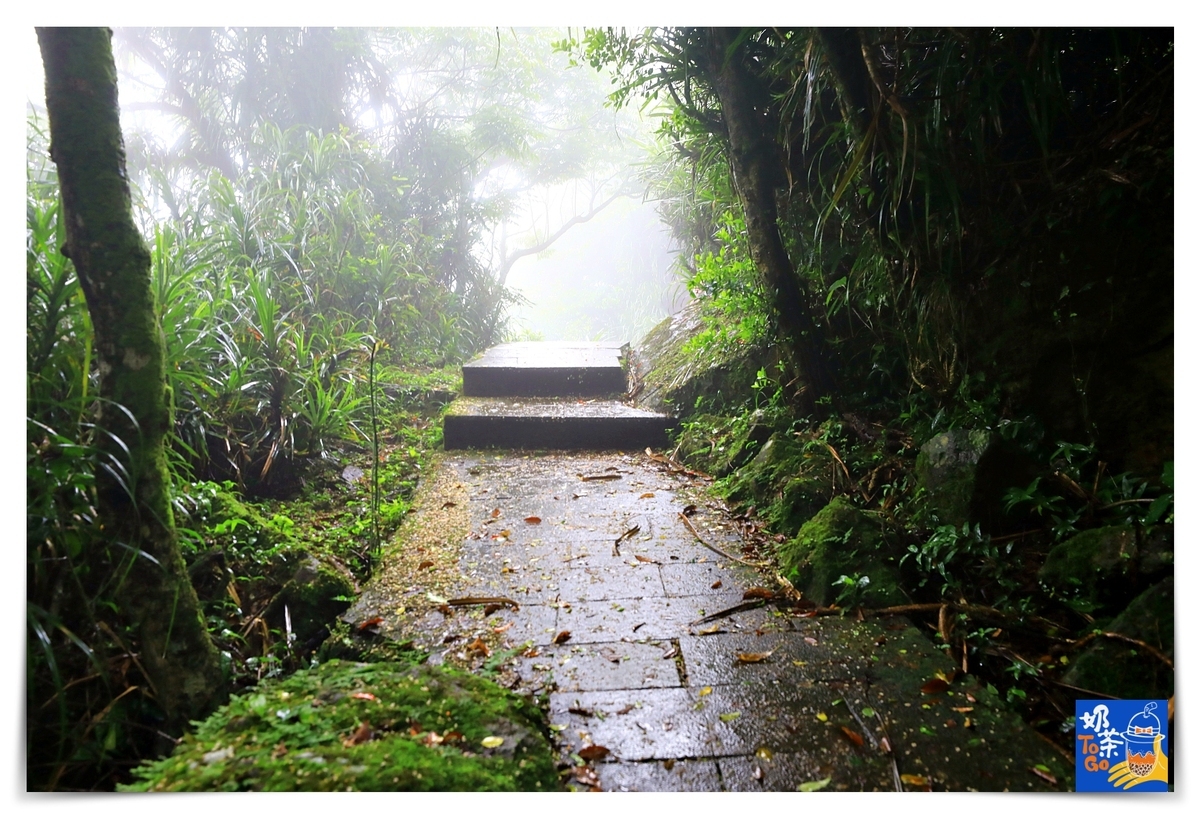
[346, 726]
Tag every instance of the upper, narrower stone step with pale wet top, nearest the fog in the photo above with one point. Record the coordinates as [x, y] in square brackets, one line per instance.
[547, 369]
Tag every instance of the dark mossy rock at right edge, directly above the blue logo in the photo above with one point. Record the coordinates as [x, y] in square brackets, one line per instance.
[1123, 670]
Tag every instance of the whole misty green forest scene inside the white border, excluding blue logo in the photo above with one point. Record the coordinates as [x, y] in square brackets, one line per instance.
[891, 309]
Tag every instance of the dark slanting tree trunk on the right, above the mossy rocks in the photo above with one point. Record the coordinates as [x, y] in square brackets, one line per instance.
[754, 158]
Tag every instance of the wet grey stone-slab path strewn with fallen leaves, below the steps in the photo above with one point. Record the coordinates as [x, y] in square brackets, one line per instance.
[643, 697]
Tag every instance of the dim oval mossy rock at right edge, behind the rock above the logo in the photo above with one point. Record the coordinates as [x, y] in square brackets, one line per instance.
[1108, 566]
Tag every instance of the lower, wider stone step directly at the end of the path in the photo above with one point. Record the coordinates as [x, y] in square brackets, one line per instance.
[479, 423]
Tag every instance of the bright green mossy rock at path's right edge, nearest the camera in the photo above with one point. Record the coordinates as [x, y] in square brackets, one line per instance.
[841, 540]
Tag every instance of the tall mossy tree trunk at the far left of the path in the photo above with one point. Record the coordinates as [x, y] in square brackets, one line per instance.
[113, 264]
